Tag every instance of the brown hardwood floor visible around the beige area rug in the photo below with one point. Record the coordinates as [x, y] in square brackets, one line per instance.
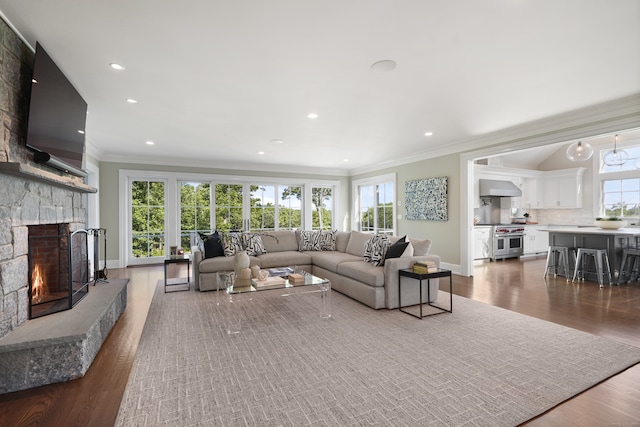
[517, 285]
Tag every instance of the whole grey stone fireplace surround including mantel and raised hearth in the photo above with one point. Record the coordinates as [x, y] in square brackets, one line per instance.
[32, 194]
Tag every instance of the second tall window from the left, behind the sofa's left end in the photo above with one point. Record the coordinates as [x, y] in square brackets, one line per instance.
[195, 211]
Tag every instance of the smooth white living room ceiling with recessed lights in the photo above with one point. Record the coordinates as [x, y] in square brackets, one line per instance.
[217, 81]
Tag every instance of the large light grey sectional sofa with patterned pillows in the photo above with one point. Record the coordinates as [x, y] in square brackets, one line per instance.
[375, 286]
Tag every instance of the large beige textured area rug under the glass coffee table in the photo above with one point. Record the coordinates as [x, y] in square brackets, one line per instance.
[479, 366]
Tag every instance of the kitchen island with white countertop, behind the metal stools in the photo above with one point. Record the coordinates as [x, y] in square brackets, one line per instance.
[592, 237]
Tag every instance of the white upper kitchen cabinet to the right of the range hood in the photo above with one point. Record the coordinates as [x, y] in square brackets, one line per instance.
[561, 189]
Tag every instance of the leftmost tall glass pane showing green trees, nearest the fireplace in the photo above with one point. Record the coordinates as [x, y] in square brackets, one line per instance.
[147, 219]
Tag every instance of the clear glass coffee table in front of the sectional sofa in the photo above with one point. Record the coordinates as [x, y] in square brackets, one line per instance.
[235, 293]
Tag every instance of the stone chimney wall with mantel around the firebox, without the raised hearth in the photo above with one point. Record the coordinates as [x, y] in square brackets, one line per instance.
[30, 194]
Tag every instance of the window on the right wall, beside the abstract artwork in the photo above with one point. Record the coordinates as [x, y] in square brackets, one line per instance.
[375, 204]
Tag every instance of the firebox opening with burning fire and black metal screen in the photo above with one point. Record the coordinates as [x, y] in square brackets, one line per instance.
[58, 268]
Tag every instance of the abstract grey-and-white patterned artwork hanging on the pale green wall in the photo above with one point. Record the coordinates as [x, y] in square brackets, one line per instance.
[426, 199]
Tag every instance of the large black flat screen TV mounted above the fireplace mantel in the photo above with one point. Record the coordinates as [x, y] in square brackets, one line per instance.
[57, 117]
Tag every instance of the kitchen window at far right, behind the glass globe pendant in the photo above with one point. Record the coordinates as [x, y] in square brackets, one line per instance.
[620, 186]
